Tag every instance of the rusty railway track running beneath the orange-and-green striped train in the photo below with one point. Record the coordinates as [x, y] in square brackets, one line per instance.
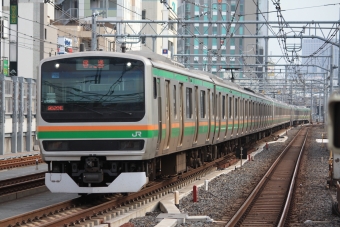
[93, 207]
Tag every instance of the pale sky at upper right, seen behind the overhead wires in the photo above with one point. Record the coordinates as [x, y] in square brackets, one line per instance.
[302, 10]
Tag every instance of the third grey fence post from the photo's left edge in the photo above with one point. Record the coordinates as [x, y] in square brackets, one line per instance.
[20, 114]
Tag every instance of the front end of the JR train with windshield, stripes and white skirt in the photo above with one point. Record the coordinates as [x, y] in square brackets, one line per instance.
[92, 126]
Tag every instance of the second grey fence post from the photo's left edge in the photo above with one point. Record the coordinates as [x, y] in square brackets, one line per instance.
[14, 141]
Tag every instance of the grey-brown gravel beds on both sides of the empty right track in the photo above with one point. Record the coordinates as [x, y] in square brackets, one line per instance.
[313, 201]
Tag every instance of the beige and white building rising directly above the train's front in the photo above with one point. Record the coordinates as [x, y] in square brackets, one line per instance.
[74, 20]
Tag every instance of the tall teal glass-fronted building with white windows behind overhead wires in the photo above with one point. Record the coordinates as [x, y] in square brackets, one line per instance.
[218, 54]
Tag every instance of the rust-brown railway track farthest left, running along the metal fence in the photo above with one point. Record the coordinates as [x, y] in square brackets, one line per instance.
[20, 162]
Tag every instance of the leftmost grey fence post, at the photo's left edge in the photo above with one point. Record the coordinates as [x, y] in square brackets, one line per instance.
[2, 114]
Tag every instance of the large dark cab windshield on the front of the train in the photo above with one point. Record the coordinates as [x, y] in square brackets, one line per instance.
[92, 89]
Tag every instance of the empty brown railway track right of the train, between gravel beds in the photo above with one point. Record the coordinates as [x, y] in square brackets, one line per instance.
[269, 202]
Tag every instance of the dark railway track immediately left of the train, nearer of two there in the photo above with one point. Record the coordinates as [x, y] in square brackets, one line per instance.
[22, 183]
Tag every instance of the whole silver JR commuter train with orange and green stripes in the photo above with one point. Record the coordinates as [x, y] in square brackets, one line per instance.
[109, 122]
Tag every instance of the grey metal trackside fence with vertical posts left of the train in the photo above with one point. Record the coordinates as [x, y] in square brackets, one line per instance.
[17, 114]
